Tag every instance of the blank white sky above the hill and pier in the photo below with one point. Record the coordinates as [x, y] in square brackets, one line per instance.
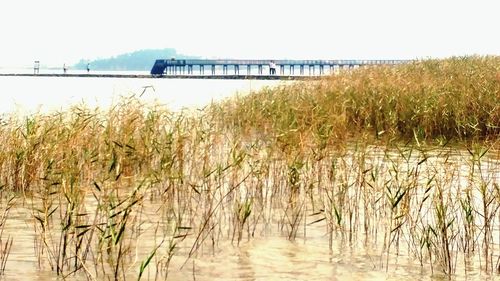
[64, 31]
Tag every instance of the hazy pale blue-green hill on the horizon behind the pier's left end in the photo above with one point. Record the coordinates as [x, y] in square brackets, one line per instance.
[138, 60]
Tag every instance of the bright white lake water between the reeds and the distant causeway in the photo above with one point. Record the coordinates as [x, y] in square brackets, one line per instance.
[43, 94]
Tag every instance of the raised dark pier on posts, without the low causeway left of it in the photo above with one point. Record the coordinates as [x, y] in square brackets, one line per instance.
[166, 67]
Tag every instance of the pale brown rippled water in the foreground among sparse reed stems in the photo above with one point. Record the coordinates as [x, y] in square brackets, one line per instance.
[265, 254]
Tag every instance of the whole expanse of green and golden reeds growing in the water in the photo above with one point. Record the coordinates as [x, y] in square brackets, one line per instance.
[348, 152]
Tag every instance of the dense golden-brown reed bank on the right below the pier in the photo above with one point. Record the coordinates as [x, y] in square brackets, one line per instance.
[457, 98]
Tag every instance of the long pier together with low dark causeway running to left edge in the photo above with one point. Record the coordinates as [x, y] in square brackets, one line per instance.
[228, 69]
